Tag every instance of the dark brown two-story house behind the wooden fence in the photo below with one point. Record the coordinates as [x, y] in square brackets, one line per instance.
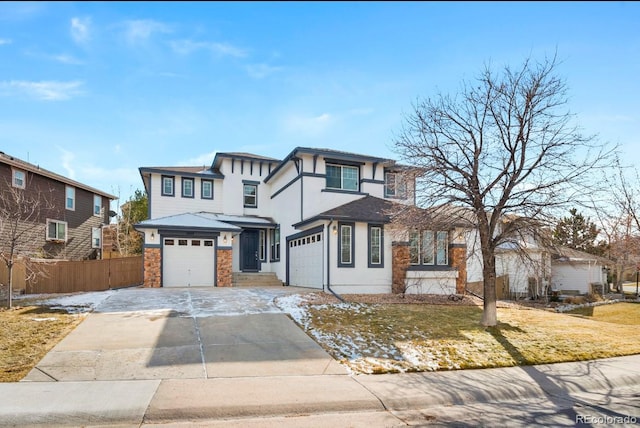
[64, 217]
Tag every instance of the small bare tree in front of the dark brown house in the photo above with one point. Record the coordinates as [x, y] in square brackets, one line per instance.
[22, 228]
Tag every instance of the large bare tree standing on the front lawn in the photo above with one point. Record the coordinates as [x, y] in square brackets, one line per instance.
[502, 146]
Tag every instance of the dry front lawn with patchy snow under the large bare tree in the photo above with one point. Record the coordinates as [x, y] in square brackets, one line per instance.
[382, 338]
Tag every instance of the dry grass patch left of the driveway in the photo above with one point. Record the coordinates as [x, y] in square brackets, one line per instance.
[27, 334]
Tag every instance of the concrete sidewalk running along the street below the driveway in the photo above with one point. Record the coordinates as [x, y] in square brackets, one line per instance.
[369, 399]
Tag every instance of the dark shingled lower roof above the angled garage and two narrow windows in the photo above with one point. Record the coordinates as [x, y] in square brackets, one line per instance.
[367, 209]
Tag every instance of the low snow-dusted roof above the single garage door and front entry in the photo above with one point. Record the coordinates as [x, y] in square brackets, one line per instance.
[205, 220]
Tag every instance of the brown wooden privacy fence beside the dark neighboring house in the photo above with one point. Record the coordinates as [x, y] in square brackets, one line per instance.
[75, 276]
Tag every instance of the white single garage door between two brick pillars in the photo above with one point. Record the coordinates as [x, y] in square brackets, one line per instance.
[188, 263]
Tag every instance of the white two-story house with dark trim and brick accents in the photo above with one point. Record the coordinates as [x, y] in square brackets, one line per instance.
[318, 218]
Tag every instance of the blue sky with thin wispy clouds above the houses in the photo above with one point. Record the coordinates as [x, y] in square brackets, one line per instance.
[94, 91]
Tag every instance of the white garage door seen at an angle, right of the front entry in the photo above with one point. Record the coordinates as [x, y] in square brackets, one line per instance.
[305, 261]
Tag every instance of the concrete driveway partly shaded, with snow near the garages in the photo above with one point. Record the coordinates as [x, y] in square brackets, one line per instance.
[187, 333]
